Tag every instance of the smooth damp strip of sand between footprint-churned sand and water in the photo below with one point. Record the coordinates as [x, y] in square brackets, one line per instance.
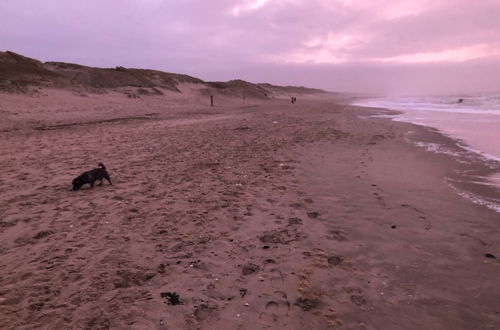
[410, 250]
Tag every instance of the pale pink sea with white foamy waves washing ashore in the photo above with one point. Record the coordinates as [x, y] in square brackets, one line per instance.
[473, 120]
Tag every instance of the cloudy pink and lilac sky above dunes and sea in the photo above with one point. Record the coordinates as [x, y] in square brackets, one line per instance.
[367, 46]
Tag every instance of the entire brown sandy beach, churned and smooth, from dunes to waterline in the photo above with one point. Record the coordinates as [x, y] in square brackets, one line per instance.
[263, 215]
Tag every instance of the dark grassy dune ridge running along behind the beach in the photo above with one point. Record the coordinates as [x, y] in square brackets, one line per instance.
[19, 73]
